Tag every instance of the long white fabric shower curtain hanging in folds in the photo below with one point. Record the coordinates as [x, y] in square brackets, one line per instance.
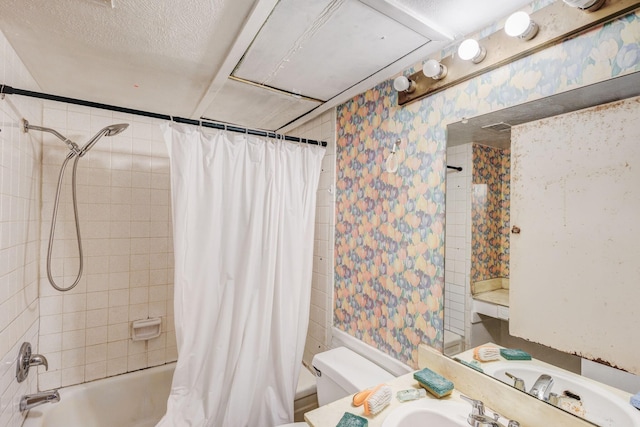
[243, 223]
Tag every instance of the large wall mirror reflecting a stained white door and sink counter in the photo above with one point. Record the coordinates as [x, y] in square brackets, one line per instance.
[492, 247]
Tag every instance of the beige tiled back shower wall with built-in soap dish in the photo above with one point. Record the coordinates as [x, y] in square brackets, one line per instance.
[123, 204]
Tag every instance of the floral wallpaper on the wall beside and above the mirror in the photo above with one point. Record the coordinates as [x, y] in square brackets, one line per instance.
[389, 246]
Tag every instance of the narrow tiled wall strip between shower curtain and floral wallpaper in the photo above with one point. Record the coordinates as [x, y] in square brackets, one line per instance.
[321, 312]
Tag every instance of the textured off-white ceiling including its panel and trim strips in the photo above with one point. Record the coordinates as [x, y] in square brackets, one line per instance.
[176, 57]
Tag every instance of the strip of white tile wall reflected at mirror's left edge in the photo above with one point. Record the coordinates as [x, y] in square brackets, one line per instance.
[458, 239]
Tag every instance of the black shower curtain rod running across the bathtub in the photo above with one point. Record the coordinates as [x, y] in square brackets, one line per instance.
[8, 90]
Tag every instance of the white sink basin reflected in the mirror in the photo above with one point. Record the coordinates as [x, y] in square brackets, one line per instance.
[603, 405]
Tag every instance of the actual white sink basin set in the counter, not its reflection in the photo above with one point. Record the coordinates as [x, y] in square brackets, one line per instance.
[429, 412]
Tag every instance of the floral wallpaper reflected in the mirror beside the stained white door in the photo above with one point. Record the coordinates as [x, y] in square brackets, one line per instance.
[490, 200]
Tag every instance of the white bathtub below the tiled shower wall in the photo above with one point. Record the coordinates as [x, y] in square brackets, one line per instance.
[137, 399]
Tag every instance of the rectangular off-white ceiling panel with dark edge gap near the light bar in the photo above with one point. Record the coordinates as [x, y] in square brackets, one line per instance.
[320, 48]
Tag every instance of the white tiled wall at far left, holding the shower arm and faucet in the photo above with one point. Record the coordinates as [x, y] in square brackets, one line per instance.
[19, 234]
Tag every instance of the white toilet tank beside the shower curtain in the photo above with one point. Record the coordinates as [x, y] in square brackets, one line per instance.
[341, 372]
